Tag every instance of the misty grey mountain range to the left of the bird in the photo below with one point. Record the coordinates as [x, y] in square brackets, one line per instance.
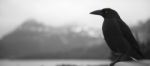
[34, 40]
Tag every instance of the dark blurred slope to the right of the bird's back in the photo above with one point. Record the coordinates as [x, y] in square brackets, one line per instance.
[142, 34]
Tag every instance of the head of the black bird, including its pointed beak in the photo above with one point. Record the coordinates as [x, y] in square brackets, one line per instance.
[106, 13]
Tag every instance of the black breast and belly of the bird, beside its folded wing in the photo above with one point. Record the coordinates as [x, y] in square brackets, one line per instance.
[114, 37]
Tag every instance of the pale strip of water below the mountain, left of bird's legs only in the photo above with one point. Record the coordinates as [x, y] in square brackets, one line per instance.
[53, 62]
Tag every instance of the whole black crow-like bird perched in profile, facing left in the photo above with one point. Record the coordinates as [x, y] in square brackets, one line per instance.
[118, 36]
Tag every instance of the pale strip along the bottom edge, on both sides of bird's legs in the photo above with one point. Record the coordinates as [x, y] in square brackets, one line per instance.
[7, 62]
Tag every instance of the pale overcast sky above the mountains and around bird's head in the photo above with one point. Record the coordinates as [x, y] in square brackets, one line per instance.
[61, 12]
